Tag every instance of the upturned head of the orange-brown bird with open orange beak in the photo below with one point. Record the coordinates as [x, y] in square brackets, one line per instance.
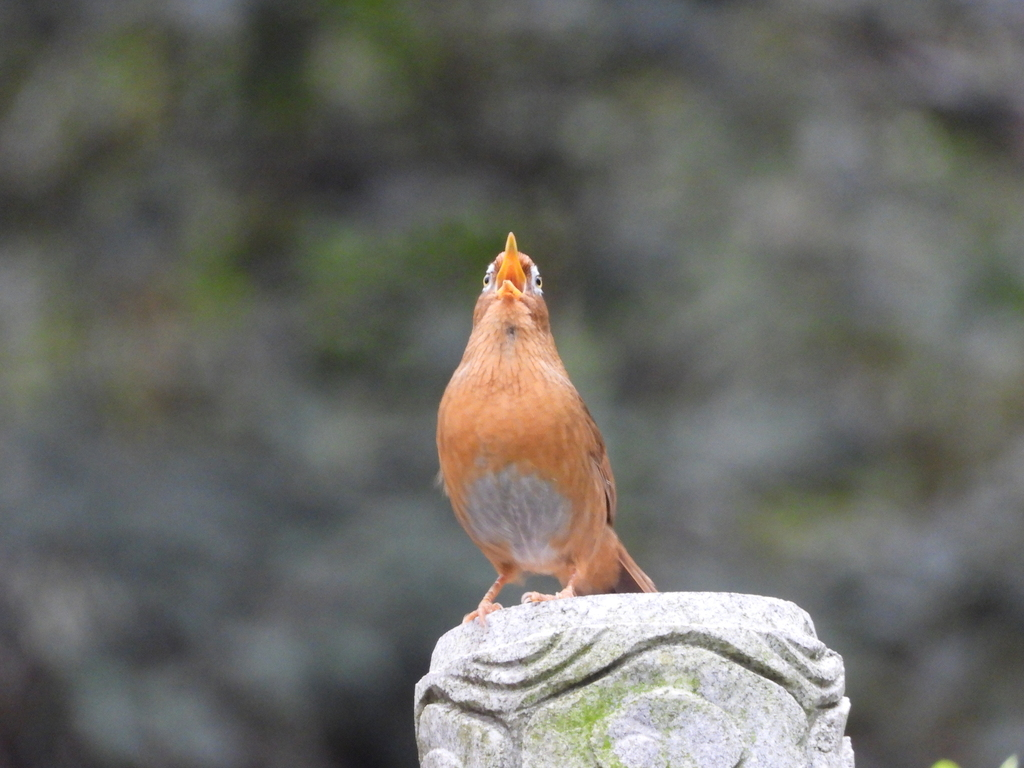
[513, 292]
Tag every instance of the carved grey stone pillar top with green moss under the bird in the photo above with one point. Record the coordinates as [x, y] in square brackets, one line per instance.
[695, 680]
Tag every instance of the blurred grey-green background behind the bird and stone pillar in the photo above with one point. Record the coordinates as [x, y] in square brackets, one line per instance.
[240, 243]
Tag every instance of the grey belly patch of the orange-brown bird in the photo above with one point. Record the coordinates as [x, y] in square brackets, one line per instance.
[524, 513]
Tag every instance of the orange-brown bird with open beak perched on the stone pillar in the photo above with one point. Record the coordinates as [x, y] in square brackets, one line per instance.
[522, 458]
